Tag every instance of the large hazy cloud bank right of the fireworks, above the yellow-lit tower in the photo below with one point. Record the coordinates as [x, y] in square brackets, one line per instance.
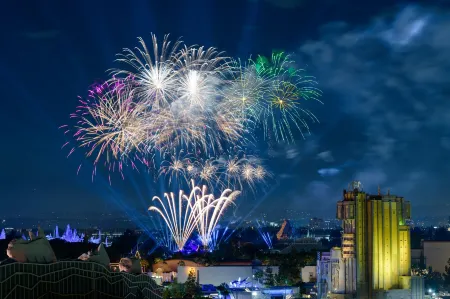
[388, 80]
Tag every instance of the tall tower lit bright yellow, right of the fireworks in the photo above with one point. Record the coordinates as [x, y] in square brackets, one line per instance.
[377, 239]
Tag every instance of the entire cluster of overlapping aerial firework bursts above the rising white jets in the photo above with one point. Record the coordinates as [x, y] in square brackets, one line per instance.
[170, 99]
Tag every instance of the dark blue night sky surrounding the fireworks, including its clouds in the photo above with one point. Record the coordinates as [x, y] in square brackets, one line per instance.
[383, 68]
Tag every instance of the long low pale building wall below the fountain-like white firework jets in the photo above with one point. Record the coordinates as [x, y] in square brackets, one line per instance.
[217, 275]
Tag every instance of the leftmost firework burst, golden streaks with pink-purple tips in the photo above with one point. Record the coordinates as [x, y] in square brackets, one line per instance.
[109, 125]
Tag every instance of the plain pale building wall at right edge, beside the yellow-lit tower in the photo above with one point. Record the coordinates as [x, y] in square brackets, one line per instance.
[436, 254]
